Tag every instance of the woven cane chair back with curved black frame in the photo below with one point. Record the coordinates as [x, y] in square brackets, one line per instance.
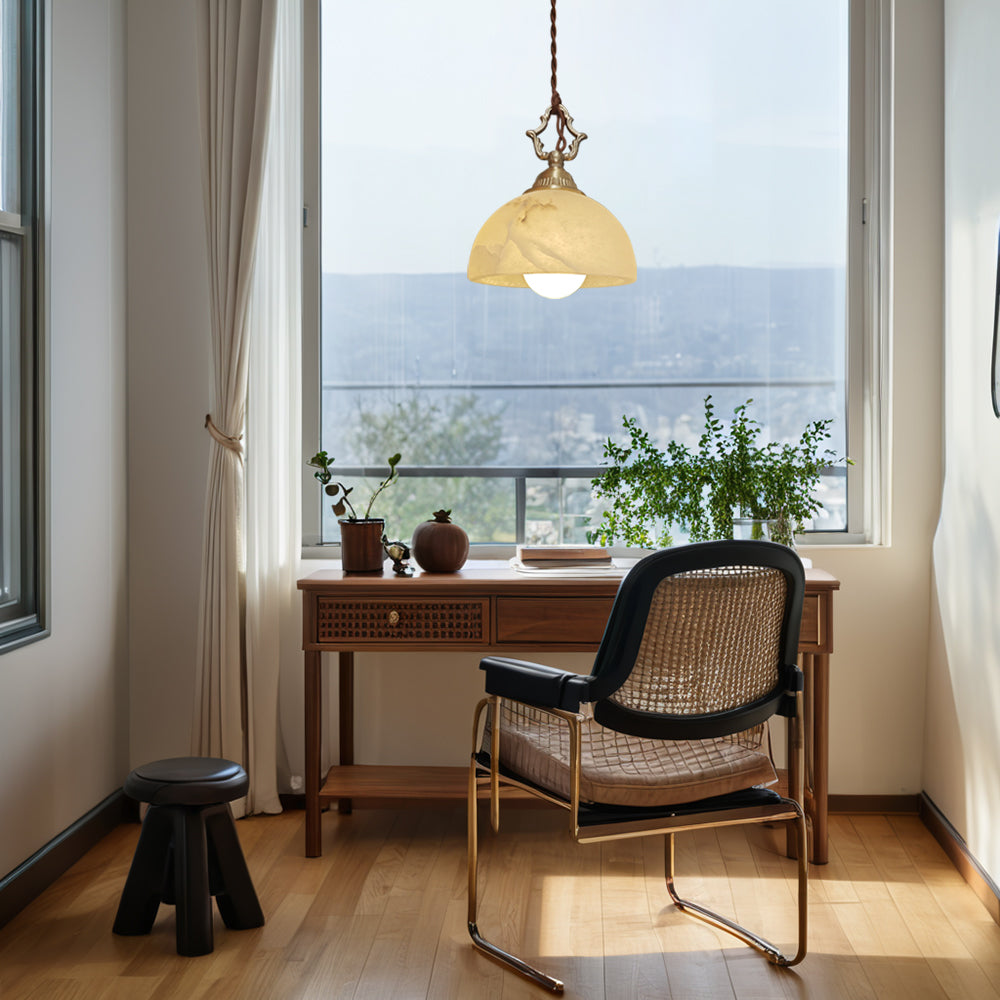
[700, 641]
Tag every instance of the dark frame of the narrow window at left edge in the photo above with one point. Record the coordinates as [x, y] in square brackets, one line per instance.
[25, 619]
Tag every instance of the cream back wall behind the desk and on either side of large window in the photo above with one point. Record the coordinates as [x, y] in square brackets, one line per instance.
[879, 667]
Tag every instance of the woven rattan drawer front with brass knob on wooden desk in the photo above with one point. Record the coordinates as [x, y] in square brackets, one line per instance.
[359, 623]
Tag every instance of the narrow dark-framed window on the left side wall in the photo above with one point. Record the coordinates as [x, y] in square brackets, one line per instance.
[20, 595]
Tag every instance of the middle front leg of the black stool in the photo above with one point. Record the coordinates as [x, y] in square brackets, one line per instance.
[191, 888]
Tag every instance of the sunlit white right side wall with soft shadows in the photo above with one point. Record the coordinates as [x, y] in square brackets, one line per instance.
[962, 769]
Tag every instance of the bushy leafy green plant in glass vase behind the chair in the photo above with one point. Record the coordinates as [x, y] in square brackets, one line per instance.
[730, 474]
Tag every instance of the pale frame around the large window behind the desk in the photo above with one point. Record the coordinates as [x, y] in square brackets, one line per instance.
[867, 348]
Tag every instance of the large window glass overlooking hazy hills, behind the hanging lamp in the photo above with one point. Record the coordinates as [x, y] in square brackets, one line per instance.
[721, 136]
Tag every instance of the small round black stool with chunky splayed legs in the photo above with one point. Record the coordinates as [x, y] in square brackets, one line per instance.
[188, 851]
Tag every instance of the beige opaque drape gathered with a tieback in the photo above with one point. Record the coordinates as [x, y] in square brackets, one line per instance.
[236, 58]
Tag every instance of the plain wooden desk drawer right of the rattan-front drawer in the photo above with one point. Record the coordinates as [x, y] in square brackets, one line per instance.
[576, 621]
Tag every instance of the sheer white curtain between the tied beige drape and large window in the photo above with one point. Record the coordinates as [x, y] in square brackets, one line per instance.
[274, 425]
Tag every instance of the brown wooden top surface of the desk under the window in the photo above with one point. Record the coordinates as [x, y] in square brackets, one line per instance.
[493, 575]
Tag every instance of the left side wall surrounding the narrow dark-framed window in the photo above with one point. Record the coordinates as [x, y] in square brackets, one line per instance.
[63, 700]
